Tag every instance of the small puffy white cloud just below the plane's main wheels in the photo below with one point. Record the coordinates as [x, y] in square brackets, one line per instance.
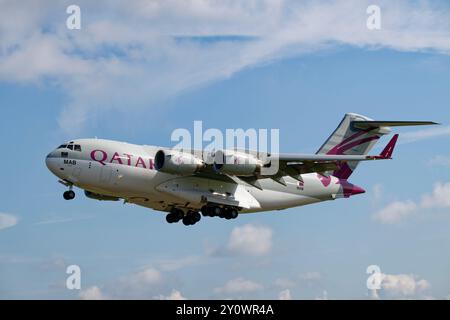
[250, 240]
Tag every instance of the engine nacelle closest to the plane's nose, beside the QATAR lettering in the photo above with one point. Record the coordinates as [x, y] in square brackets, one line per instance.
[175, 162]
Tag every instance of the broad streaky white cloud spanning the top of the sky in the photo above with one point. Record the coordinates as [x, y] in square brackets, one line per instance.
[107, 65]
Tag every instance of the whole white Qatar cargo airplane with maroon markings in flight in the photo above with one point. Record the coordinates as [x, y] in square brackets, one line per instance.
[184, 184]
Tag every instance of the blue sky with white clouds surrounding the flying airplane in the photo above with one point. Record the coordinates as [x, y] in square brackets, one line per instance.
[137, 70]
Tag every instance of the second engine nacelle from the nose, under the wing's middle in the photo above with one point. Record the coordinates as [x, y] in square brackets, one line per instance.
[236, 163]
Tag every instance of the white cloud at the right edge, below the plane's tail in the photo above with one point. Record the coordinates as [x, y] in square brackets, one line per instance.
[400, 210]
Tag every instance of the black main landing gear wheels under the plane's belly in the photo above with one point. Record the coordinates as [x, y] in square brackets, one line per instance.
[192, 217]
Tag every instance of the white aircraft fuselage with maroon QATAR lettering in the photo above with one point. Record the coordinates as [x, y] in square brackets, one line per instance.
[118, 170]
